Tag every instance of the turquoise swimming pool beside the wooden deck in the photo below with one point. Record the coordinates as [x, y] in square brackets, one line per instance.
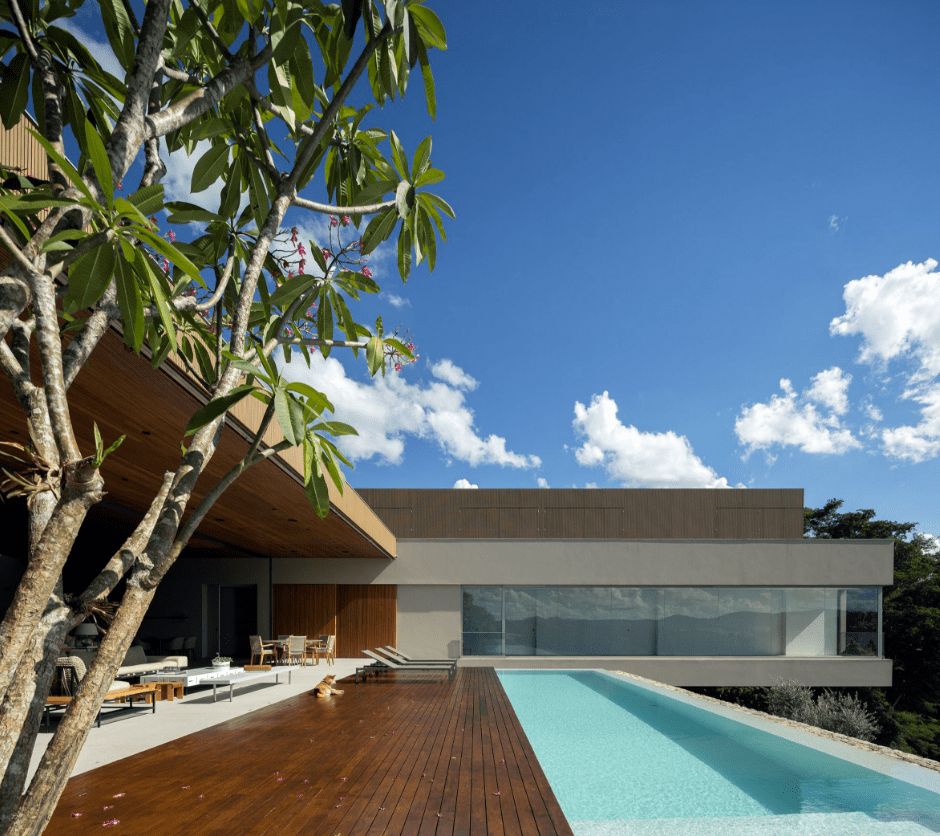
[626, 758]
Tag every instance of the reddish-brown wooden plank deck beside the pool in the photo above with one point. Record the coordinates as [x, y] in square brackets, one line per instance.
[404, 754]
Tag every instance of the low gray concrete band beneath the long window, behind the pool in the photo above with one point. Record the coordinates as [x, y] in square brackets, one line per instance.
[714, 671]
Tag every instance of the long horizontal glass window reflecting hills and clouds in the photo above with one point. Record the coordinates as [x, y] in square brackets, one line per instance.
[671, 621]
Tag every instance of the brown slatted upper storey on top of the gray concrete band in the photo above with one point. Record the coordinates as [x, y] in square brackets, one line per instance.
[630, 514]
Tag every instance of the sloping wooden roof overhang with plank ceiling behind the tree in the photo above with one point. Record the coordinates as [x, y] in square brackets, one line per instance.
[265, 512]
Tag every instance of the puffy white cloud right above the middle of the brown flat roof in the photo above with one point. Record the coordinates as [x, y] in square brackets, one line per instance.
[655, 460]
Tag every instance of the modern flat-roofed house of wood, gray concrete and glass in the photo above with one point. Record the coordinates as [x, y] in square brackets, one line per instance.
[690, 587]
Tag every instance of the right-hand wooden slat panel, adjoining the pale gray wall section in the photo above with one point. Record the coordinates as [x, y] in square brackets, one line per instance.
[366, 618]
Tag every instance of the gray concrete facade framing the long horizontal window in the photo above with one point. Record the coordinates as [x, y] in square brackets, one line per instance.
[430, 574]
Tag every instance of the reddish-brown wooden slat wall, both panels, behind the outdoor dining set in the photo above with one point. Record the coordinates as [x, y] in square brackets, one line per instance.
[361, 616]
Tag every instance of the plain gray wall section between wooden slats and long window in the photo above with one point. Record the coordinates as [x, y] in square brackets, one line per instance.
[429, 621]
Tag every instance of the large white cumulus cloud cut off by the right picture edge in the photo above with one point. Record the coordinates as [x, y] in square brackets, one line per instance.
[897, 316]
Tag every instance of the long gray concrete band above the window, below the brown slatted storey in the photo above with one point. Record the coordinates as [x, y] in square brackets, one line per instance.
[611, 563]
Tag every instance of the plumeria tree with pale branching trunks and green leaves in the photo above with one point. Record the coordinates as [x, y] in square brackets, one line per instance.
[268, 86]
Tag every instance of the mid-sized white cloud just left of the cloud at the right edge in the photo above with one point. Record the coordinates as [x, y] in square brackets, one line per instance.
[797, 420]
